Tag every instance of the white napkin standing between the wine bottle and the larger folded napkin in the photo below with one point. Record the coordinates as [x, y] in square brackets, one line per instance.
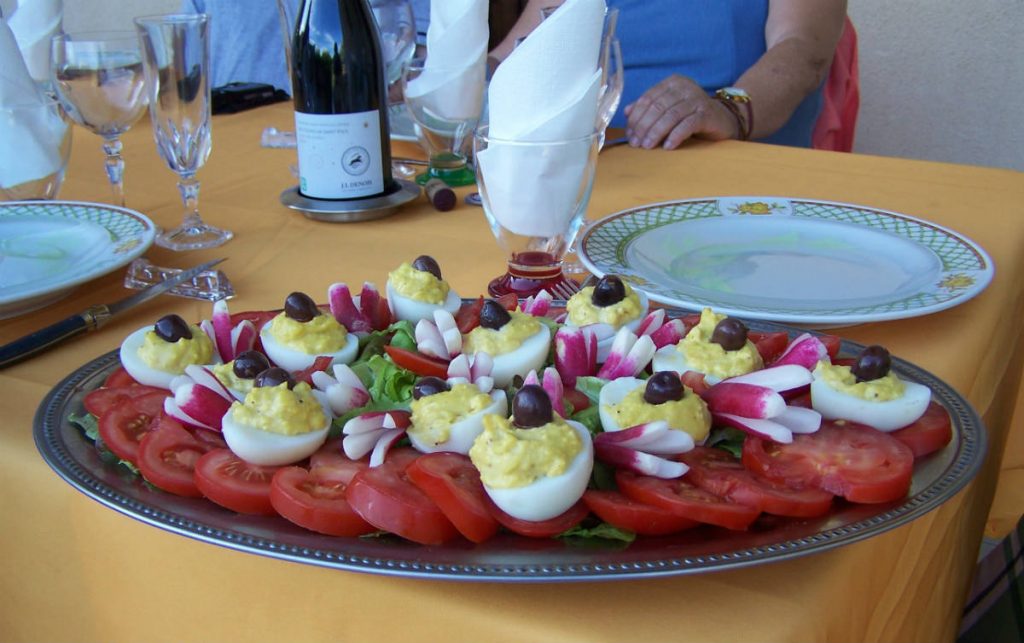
[453, 78]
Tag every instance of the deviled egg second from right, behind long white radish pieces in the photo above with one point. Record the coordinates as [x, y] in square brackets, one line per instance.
[717, 347]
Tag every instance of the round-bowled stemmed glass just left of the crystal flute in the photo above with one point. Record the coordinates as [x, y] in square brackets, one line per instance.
[99, 78]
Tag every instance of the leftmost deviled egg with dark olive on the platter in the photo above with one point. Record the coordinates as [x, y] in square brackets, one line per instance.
[156, 355]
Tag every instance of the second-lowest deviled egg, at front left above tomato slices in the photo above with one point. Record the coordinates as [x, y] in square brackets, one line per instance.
[280, 422]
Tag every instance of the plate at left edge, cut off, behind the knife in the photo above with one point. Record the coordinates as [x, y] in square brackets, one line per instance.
[50, 247]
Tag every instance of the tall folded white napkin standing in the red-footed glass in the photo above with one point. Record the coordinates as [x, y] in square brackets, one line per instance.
[546, 91]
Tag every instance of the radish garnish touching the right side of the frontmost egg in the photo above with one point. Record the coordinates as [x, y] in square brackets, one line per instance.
[642, 449]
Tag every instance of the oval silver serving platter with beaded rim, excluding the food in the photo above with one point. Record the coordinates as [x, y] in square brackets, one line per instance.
[506, 558]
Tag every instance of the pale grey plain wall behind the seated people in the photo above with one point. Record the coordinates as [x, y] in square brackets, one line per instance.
[941, 80]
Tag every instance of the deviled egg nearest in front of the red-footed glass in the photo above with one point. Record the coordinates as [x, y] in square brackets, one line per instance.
[517, 342]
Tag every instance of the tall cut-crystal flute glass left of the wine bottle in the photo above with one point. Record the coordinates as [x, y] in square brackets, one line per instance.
[177, 59]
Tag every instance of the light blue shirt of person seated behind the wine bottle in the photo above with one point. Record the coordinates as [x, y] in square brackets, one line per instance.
[247, 44]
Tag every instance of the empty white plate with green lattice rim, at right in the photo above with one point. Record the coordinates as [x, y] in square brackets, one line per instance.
[798, 262]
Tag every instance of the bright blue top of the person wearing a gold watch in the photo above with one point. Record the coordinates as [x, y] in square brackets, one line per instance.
[711, 41]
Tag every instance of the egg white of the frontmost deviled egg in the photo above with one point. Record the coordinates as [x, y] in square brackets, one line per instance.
[550, 497]
